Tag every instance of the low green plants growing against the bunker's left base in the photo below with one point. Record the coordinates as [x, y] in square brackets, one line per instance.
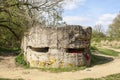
[20, 61]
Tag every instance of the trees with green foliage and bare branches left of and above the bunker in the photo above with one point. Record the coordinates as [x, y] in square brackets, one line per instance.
[17, 16]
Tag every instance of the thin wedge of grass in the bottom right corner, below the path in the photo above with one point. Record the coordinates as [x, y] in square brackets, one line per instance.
[110, 77]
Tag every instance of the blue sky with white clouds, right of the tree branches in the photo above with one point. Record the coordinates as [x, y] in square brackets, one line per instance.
[91, 12]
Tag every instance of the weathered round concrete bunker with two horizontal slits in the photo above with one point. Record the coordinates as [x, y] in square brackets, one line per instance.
[67, 46]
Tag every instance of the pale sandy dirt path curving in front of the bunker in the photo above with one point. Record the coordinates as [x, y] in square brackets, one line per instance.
[9, 70]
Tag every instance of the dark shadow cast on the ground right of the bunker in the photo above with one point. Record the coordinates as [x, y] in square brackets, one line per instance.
[98, 59]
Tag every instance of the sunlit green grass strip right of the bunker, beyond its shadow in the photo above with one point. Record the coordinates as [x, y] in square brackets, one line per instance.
[108, 52]
